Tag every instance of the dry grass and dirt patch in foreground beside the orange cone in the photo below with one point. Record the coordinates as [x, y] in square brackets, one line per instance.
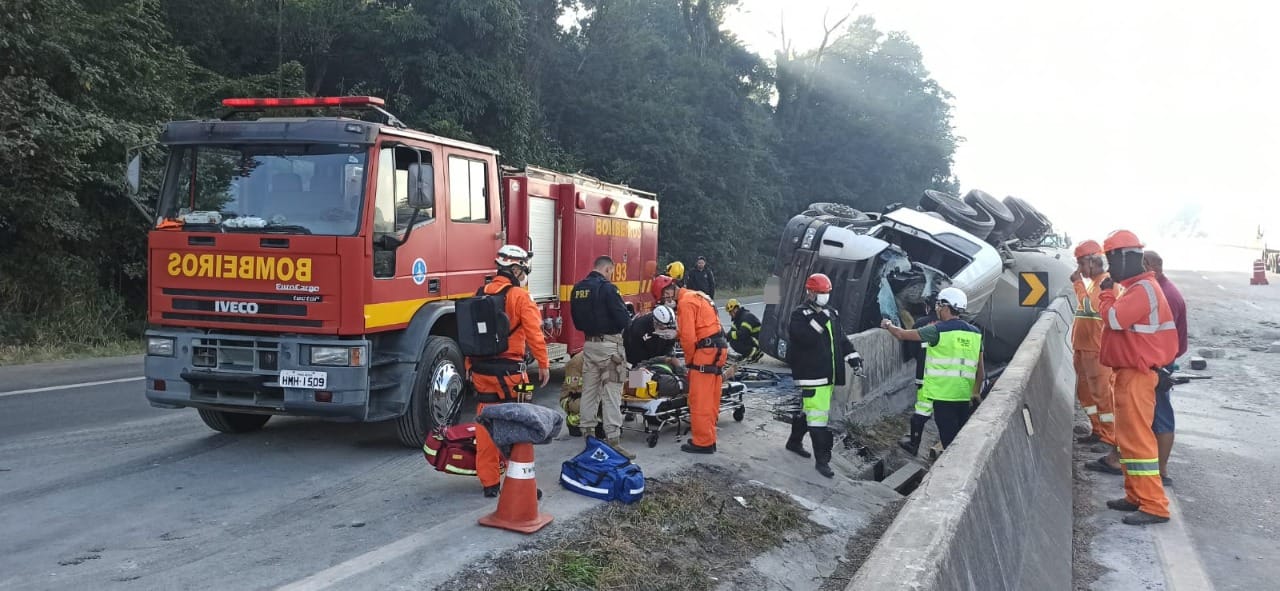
[689, 533]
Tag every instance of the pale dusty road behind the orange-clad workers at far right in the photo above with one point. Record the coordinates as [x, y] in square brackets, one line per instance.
[1224, 462]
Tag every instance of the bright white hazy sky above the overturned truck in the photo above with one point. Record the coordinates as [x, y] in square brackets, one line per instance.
[1101, 114]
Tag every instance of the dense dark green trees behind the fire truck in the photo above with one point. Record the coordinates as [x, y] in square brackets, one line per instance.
[648, 93]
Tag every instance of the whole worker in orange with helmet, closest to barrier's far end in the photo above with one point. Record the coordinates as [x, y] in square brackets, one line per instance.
[1092, 379]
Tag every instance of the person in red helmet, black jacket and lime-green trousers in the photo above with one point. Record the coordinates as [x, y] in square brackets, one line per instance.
[816, 345]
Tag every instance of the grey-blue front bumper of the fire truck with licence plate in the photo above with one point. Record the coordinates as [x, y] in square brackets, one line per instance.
[277, 375]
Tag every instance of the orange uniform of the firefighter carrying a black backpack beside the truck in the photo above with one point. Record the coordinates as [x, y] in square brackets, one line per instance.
[527, 331]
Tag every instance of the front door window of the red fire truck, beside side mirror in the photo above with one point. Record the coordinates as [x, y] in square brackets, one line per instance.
[391, 205]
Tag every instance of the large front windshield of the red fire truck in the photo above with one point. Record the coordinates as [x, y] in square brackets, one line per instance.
[287, 189]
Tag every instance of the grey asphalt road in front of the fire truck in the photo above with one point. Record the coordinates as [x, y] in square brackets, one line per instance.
[99, 491]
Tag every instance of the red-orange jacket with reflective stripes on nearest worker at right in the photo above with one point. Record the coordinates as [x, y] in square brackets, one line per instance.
[1139, 326]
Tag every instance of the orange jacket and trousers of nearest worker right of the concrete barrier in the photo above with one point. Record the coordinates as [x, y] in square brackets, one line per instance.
[1139, 337]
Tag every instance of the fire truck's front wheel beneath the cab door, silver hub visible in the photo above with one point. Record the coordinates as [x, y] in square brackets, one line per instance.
[437, 392]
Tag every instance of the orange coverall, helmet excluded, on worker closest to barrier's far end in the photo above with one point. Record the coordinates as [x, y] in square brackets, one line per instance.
[1092, 379]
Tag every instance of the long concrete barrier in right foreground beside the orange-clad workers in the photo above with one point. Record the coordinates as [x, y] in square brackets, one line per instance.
[995, 512]
